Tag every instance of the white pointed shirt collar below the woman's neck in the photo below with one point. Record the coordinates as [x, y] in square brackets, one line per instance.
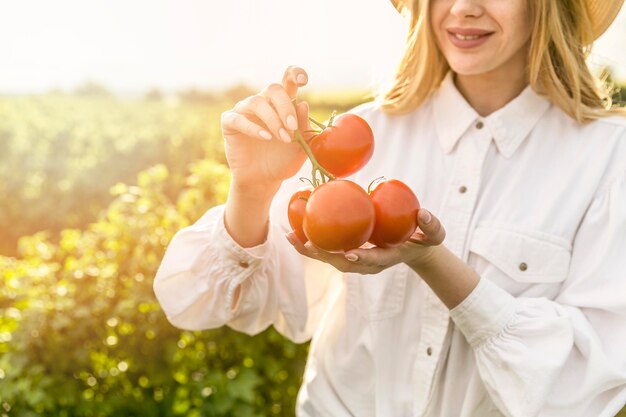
[509, 126]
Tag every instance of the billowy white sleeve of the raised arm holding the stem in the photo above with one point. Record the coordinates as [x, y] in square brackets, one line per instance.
[206, 280]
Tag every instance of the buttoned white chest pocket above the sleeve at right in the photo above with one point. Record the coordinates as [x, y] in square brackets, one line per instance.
[520, 255]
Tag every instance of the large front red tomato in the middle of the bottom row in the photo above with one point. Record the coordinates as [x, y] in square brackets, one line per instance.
[339, 216]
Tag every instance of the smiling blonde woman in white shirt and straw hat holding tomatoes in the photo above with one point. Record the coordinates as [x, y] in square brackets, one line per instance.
[496, 123]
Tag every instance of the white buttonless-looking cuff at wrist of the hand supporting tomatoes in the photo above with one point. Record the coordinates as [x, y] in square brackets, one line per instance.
[484, 313]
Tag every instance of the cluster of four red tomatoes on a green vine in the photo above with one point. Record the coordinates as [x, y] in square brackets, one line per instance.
[338, 214]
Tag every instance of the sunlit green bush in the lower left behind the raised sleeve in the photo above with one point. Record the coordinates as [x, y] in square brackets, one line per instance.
[81, 333]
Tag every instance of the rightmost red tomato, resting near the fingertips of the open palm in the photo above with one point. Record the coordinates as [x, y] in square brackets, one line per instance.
[396, 209]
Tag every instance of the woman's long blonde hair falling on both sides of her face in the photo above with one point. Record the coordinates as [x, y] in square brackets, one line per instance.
[560, 44]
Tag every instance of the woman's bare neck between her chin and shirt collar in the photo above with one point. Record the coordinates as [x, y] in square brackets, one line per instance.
[491, 91]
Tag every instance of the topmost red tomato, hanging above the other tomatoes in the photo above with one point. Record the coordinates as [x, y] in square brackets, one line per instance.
[345, 147]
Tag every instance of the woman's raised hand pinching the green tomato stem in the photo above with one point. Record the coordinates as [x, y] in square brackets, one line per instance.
[259, 133]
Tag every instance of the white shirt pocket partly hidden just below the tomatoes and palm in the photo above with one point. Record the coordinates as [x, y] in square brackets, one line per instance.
[380, 296]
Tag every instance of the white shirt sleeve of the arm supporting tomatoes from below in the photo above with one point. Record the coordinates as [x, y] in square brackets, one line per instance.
[565, 356]
